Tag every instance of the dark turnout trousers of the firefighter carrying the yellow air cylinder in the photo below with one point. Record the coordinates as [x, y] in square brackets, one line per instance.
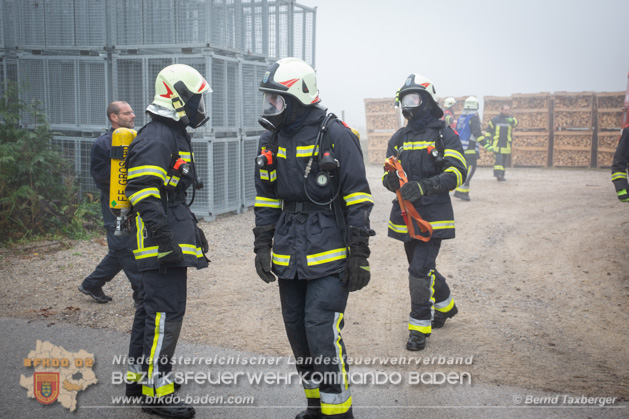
[156, 327]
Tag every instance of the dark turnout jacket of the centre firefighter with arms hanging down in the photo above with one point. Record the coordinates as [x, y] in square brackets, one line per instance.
[307, 243]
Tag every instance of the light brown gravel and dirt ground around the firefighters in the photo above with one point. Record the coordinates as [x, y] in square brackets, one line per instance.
[539, 270]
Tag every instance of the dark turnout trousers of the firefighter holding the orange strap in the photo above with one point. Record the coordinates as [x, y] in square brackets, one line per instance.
[429, 289]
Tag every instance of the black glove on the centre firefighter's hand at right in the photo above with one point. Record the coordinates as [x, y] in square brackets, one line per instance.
[357, 272]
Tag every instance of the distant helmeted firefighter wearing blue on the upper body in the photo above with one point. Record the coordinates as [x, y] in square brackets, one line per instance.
[469, 129]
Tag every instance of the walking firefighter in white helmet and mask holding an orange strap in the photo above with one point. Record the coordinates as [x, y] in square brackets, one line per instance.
[430, 164]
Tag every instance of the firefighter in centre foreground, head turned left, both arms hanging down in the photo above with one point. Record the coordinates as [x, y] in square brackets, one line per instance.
[312, 209]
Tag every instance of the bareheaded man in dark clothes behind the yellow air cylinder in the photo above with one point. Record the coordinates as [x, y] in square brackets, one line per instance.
[119, 256]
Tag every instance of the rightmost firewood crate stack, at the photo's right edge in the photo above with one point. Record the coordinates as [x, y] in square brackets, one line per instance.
[609, 122]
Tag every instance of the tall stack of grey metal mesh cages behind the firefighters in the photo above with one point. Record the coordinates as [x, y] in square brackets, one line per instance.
[76, 56]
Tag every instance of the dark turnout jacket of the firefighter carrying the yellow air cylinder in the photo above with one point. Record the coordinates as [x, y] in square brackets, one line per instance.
[150, 158]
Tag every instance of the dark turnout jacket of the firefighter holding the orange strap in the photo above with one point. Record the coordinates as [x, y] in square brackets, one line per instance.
[418, 164]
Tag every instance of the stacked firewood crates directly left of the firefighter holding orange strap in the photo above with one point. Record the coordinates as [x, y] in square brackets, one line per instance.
[382, 119]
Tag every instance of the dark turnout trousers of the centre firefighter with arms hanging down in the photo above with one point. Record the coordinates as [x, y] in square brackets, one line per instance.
[313, 317]
